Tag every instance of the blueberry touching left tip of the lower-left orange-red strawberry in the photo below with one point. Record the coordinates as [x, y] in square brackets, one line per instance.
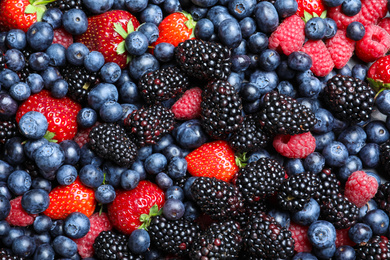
[35, 201]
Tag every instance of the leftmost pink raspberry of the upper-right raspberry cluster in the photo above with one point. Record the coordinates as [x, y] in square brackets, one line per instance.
[289, 36]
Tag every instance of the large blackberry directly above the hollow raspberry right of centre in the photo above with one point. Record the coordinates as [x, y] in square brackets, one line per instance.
[281, 114]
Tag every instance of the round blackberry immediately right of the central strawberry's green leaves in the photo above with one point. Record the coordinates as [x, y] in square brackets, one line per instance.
[259, 179]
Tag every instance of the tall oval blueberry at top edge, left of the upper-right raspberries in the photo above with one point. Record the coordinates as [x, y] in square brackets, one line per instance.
[266, 17]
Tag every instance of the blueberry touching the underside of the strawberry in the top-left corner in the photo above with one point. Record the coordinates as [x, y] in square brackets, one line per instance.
[40, 36]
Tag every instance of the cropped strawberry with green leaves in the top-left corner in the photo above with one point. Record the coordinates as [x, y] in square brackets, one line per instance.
[21, 14]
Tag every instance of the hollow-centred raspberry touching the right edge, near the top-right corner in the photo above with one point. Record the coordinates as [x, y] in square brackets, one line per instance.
[374, 45]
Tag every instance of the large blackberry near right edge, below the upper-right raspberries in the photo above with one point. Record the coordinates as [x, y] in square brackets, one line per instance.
[349, 98]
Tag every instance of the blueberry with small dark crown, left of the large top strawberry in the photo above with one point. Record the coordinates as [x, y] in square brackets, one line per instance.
[75, 21]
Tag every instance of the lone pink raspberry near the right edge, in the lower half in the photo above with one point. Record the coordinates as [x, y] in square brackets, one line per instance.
[360, 188]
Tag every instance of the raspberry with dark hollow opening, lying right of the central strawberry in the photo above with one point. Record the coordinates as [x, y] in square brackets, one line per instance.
[295, 146]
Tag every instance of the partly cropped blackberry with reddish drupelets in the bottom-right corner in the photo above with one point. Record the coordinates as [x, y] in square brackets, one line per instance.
[378, 248]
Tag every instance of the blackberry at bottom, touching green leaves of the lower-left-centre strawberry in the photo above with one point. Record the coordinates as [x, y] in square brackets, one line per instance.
[174, 237]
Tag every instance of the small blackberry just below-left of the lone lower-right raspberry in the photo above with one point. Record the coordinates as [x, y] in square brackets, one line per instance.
[339, 211]
